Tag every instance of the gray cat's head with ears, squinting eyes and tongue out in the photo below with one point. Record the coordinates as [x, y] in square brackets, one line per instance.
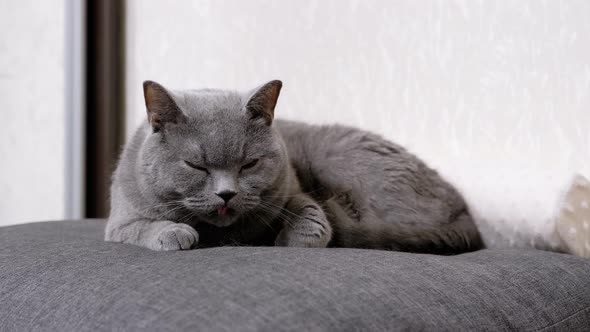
[212, 153]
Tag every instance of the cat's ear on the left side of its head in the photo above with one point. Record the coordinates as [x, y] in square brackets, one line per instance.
[161, 108]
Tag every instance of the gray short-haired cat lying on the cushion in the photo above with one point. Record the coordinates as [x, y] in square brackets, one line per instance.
[213, 167]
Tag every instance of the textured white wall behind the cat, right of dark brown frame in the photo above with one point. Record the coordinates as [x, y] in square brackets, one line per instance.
[477, 88]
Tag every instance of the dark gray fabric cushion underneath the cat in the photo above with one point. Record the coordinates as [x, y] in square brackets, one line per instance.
[61, 276]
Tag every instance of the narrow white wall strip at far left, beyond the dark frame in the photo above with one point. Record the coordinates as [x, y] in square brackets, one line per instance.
[31, 104]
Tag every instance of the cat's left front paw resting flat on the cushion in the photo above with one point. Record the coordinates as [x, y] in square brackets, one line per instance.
[176, 237]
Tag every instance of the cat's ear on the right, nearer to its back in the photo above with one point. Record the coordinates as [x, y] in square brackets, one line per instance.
[262, 102]
